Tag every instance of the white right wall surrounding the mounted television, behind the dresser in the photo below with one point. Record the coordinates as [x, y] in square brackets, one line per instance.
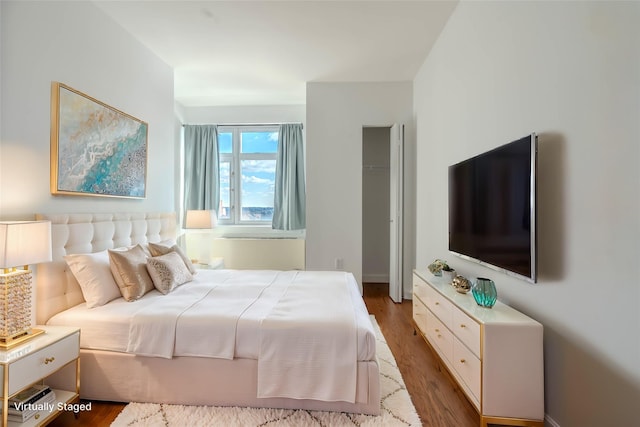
[571, 72]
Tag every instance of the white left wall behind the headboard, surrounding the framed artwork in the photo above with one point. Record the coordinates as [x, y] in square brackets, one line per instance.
[77, 44]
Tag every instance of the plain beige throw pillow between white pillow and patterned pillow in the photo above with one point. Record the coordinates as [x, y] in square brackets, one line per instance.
[129, 269]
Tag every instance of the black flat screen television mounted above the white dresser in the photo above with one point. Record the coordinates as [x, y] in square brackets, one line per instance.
[492, 208]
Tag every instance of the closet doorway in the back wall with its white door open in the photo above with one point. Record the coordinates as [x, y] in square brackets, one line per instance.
[382, 207]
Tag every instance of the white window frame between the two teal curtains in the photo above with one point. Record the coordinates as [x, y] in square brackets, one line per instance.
[235, 159]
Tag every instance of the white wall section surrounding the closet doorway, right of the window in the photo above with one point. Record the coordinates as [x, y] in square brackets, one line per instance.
[336, 113]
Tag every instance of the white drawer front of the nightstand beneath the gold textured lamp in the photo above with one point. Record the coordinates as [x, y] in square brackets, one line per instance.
[42, 363]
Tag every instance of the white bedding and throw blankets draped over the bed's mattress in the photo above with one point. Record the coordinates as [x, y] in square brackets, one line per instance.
[306, 329]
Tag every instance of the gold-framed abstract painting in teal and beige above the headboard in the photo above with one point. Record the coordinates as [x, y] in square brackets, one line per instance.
[96, 150]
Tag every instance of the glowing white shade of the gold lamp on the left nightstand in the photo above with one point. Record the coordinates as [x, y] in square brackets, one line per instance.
[24, 242]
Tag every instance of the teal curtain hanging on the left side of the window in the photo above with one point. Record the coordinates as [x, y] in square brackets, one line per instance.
[201, 168]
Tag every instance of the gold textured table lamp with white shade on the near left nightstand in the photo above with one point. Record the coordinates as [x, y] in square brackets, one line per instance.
[21, 243]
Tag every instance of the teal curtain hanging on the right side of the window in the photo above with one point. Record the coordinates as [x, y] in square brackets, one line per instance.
[289, 207]
